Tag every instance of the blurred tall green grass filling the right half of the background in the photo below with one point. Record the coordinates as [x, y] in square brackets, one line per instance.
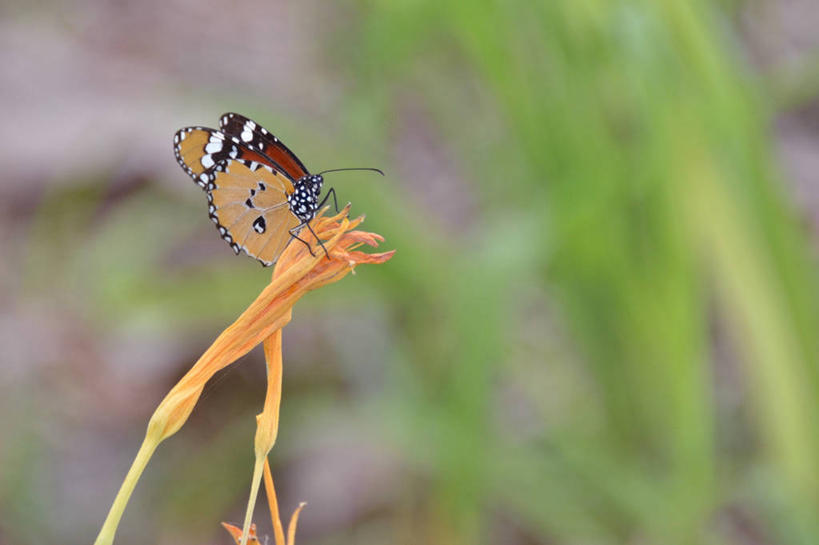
[641, 150]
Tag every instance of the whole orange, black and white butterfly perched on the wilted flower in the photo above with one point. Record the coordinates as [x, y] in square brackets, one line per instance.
[260, 195]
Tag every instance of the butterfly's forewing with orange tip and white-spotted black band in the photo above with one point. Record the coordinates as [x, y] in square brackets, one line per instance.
[199, 150]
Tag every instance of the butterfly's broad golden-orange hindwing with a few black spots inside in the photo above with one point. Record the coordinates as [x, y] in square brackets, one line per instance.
[248, 204]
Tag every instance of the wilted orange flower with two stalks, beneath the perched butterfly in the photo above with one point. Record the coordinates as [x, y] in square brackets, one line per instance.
[296, 273]
